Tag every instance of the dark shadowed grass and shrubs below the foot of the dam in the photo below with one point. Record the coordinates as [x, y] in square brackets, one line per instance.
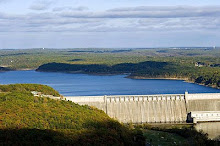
[176, 134]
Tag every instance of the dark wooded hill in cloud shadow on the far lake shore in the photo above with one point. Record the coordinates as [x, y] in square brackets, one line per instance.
[148, 66]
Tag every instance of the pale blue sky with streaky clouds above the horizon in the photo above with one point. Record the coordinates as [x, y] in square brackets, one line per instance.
[112, 23]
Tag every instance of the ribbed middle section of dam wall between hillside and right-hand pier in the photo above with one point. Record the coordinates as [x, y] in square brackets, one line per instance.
[141, 109]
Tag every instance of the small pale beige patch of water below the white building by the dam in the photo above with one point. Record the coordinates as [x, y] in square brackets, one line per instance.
[212, 128]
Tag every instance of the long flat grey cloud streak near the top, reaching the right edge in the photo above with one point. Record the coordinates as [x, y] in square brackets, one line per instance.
[150, 12]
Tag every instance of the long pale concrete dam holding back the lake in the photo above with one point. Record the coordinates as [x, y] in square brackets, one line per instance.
[166, 108]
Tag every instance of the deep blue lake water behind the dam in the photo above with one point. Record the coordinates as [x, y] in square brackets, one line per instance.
[84, 85]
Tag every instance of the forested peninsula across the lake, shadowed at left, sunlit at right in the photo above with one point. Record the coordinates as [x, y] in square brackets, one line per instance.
[142, 70]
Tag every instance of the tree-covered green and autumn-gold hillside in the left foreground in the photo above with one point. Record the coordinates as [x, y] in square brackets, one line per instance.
[29, 120]
